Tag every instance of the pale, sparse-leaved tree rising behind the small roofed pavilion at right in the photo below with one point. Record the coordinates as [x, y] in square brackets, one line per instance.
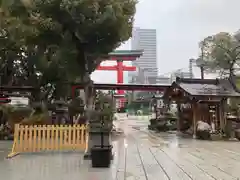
[221, 53]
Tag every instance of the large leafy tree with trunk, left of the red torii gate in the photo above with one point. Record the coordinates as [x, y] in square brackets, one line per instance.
[77, 34]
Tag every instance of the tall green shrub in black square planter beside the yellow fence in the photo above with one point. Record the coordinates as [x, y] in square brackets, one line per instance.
[100, 132]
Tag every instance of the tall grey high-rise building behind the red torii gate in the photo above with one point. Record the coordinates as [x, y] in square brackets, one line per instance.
[146, 39]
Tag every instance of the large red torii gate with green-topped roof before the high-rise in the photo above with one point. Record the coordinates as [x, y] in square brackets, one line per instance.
[120, 56]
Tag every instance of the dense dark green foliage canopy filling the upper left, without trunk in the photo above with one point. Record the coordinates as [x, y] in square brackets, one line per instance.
[47, 42]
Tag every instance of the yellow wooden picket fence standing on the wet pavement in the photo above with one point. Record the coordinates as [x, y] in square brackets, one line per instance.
[39, 138]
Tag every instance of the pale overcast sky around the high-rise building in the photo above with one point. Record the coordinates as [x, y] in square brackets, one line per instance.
[181, 25]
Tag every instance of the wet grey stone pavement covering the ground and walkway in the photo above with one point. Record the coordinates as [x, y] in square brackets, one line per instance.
[138, 155]
